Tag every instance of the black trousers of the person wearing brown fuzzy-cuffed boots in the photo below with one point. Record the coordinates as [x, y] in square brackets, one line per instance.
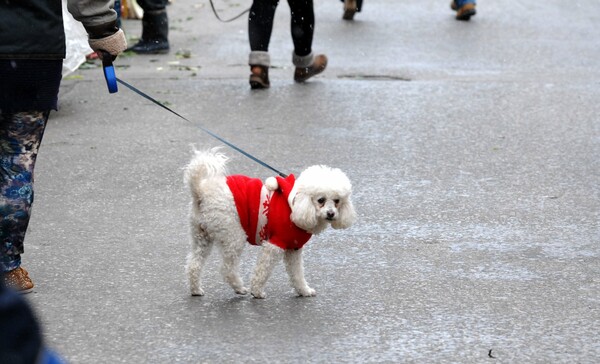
[260, 25]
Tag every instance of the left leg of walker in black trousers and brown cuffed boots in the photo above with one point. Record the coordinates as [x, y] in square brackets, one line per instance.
[260, 27]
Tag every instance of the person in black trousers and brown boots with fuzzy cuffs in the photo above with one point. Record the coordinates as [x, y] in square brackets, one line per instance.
[260, 26]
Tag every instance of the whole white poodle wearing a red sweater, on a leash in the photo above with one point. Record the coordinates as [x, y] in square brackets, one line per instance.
[280, 216]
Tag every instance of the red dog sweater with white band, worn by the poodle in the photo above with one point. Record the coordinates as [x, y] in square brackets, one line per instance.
[264, 214]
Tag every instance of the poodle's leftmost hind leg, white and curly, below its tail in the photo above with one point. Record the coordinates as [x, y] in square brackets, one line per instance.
[201, 248]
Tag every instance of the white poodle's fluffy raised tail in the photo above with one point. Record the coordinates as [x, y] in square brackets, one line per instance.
[204, 165]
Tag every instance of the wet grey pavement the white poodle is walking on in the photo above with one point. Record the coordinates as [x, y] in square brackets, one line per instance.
[474, 153]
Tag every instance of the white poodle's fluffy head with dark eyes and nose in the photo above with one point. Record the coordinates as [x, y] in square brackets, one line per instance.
[321, 197]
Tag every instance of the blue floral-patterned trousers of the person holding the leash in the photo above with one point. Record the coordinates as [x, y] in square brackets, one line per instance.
[20, 137]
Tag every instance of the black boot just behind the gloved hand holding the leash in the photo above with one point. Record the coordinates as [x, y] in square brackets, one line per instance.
[155, 32]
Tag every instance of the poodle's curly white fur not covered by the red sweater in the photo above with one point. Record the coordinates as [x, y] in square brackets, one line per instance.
[320, 197]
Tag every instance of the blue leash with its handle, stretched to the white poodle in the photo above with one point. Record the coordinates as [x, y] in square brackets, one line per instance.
[111, 82]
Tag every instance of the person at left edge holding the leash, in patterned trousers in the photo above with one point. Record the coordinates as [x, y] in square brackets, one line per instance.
[32, 49]
